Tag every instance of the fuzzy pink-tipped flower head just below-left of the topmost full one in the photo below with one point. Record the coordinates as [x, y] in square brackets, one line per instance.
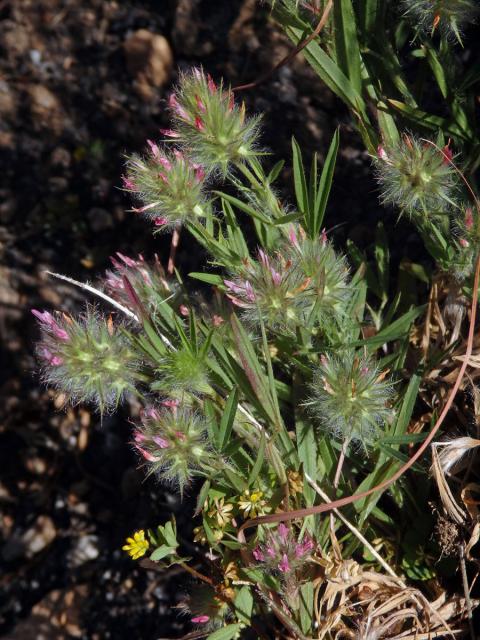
[168, 184]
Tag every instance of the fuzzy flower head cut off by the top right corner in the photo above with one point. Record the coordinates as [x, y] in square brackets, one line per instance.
[447, 16]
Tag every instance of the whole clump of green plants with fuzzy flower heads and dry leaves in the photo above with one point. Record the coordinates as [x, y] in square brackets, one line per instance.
[291, 390]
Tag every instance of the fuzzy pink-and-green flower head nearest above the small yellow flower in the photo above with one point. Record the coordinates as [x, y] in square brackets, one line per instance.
[172, 441]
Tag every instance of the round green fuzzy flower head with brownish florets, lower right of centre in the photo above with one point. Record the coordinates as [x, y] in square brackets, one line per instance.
[350, 397]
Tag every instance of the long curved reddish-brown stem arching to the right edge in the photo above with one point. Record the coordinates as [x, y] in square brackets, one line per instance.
[328, 506]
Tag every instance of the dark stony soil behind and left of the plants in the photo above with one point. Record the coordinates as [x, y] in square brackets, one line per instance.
[73, 101]
